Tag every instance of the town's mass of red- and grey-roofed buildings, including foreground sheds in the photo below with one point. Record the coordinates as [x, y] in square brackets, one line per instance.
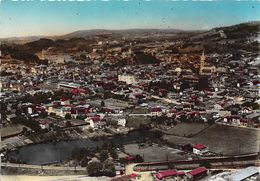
[67, 93]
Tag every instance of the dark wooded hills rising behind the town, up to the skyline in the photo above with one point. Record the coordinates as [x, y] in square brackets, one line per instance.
[236, 35]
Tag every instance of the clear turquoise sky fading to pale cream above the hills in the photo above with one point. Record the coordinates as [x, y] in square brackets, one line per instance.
[33, 18]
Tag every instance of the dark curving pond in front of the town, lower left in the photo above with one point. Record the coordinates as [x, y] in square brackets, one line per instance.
[47, 153]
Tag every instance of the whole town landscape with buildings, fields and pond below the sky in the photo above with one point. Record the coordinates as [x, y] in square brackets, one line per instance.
[133, 105]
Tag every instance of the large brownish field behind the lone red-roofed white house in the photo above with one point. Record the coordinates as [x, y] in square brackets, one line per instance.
[223, 139]
